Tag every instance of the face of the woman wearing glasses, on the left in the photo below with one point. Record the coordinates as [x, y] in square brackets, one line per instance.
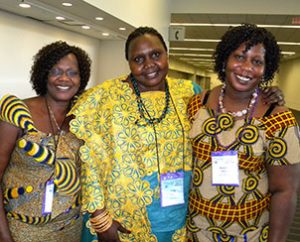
[64, 79]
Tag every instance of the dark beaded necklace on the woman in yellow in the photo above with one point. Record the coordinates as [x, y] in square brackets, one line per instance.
[142, 108]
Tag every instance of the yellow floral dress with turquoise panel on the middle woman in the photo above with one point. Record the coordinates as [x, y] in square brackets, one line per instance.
[121, 152]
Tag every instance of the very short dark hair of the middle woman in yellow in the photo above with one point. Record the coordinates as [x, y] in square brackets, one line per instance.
[140, 32]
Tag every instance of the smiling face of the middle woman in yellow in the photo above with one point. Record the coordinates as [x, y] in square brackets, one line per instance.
[148, 62]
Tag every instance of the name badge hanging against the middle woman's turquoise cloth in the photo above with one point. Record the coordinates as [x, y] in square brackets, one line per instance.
[172, 189]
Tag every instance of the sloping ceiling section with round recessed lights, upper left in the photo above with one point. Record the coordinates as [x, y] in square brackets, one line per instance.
[76, 16]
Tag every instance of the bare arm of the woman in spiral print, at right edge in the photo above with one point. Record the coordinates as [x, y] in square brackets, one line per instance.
[283, 185]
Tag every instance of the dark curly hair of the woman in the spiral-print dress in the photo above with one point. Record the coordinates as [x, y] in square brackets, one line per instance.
[251, 35]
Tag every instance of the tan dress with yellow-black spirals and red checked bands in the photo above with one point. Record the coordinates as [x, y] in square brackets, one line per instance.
[237, 213]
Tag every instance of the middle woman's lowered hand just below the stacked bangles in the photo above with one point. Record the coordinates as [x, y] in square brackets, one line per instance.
[111, 235]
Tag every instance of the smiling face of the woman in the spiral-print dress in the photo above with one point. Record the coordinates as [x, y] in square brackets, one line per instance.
[245, 70]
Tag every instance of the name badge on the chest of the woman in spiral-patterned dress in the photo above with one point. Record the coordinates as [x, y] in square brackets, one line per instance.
[225, 168]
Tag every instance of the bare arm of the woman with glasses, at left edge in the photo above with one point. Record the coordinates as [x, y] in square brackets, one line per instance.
[8, 137]
